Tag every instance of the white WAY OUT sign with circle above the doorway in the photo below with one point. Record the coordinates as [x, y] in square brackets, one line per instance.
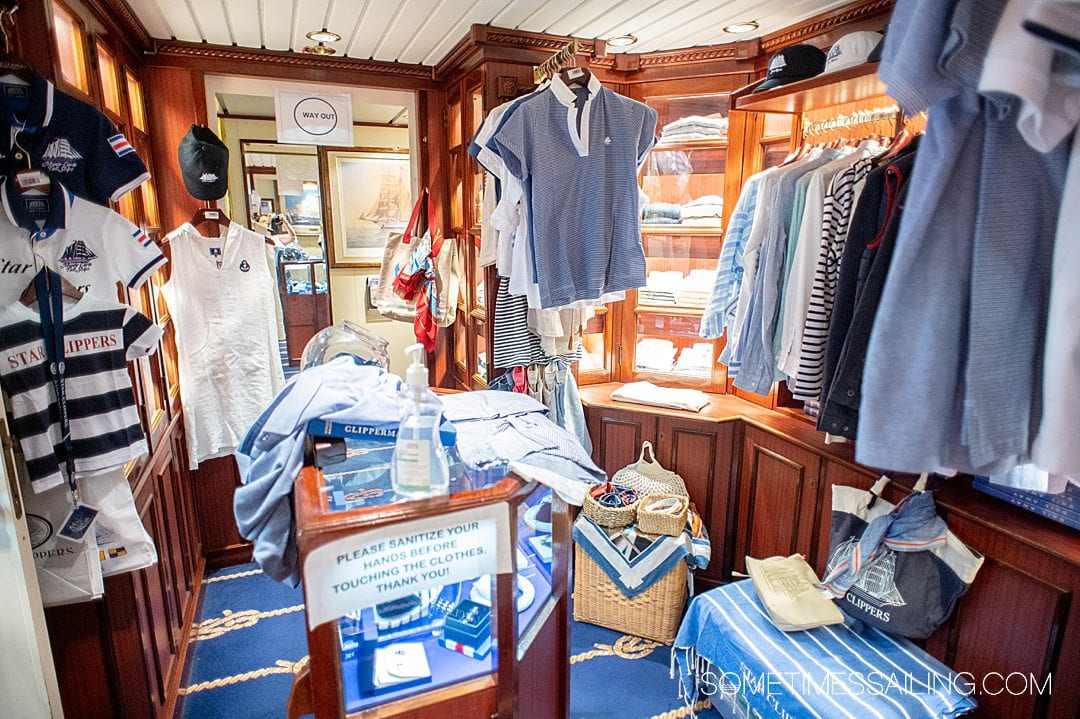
[314, 118]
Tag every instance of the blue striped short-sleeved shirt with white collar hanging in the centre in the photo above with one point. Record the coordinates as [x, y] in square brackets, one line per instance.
[578, 160]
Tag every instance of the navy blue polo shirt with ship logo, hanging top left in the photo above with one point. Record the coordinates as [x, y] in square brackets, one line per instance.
[44, 129]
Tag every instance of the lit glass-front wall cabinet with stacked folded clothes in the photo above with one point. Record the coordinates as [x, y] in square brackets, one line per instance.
[683, 189]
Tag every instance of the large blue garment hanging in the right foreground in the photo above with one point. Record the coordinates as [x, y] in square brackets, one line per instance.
[961, 330]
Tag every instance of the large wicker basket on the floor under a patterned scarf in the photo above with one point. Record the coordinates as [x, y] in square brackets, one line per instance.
[653, 615]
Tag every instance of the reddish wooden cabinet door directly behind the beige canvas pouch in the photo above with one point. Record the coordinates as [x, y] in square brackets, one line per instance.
[778, 498]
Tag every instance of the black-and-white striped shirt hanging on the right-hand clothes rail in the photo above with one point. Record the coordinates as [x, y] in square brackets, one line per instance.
[840, 202]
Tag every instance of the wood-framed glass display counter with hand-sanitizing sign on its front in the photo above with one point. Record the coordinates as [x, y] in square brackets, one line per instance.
[460, 640]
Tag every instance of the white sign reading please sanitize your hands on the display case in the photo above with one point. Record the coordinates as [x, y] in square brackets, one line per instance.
[370, 568]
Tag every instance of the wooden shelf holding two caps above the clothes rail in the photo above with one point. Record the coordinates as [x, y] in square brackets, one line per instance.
[848, 86]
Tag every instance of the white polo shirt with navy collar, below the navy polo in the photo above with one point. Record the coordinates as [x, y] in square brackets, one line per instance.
[92, 247]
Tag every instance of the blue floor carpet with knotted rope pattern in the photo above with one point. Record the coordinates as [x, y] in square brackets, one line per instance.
[249, 642]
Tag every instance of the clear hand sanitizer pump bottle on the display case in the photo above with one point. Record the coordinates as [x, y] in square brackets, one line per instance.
[420, 467]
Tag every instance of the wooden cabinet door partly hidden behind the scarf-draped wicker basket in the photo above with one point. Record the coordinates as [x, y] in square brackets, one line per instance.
[701, 453]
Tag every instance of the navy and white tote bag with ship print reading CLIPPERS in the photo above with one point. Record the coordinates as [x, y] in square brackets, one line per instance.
[895, 571]
